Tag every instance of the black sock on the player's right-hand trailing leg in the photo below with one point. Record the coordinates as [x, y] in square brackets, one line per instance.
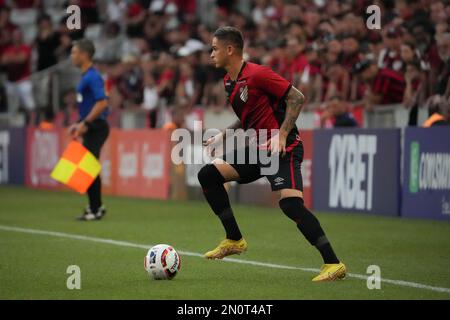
[309, 226]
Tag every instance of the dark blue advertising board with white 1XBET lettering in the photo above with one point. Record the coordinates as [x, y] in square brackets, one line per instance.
[357, 170]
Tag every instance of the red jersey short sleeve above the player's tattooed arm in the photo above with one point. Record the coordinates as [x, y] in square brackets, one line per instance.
[270, 82]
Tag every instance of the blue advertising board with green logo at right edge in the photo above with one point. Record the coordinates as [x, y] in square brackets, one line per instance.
[426, 175]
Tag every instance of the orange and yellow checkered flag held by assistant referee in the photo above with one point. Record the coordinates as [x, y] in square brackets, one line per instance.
[77, 167]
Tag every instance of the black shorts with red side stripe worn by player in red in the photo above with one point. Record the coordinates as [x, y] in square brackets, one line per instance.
[288, 176]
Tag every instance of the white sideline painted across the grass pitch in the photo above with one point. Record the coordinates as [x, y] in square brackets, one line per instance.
[195, 254]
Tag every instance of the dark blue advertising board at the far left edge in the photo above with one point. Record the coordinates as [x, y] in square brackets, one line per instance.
[12, 155]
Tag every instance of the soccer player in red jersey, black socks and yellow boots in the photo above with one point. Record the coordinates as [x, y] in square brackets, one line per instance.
[262, 100]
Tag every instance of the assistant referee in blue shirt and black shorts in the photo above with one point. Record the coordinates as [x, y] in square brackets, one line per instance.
[93, 112]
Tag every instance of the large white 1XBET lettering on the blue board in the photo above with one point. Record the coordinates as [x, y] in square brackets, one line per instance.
[351, 164]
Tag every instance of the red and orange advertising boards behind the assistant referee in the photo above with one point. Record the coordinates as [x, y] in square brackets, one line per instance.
[134, 162]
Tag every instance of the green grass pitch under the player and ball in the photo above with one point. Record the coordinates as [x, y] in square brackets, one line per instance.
[33, 266]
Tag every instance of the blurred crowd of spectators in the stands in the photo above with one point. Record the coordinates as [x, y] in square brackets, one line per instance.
[154, 54]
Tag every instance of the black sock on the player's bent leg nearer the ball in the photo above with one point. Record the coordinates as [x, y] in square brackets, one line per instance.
[217, 197]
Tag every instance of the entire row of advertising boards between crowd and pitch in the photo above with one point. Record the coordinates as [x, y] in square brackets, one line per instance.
[344, 170]
